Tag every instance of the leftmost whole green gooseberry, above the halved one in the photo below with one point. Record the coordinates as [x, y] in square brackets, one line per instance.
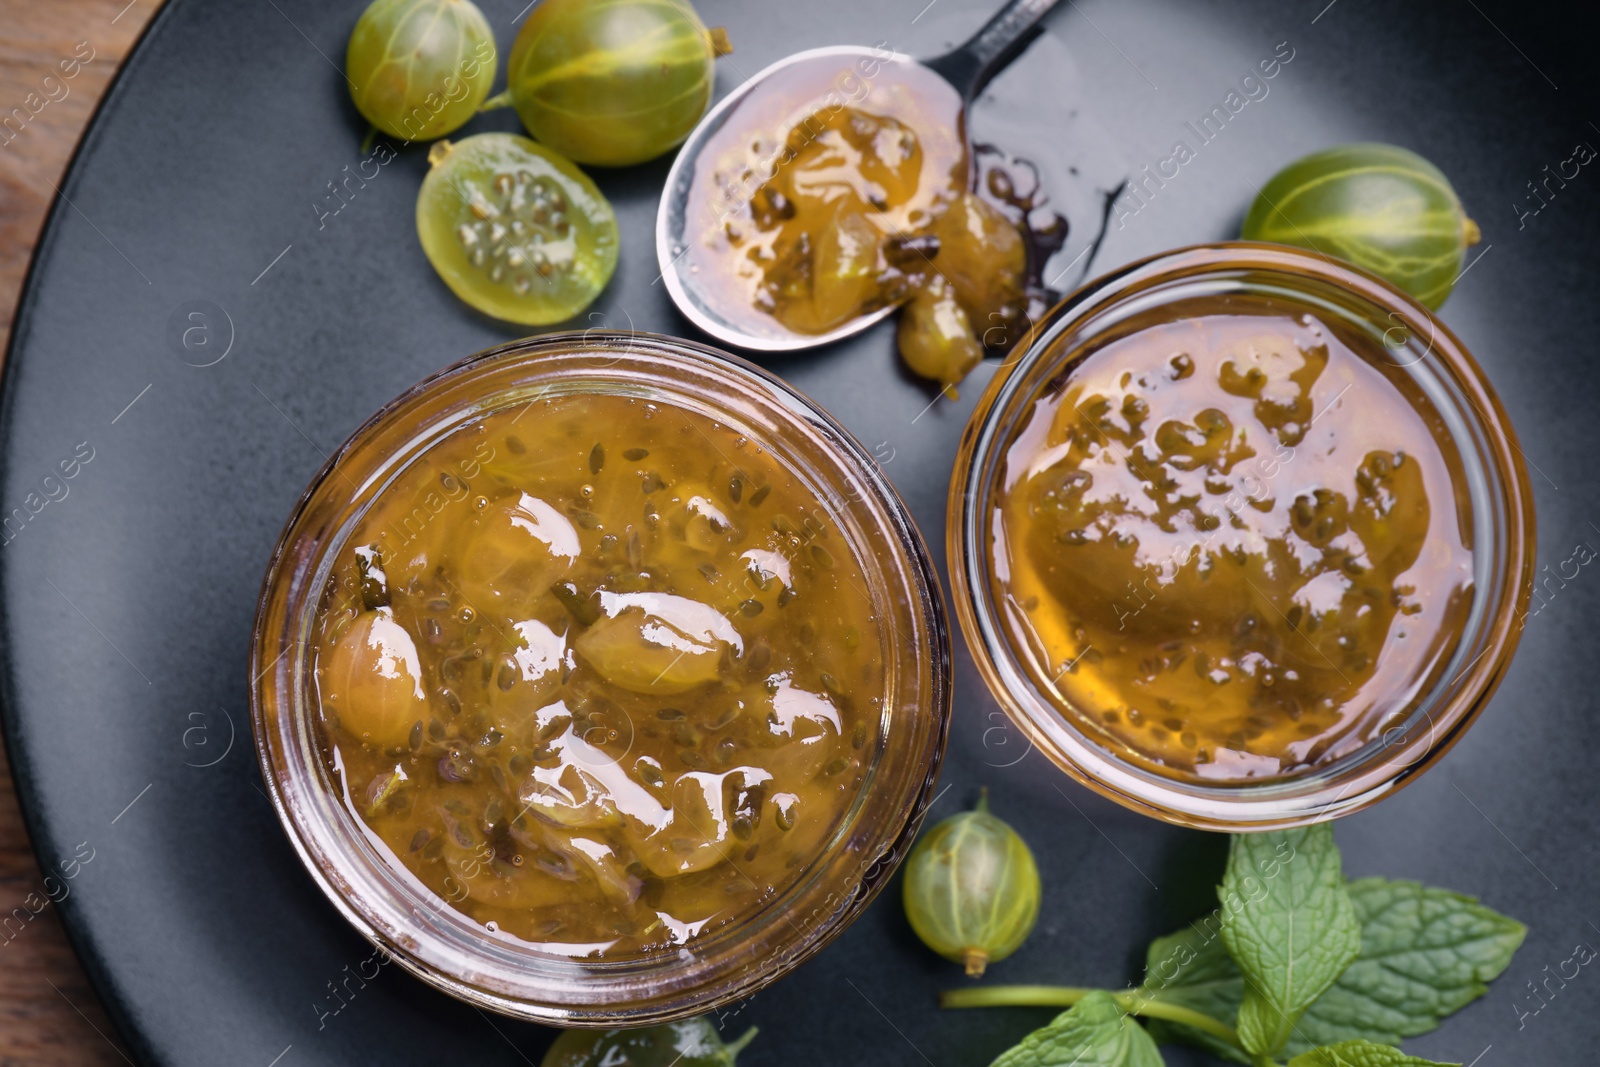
[420, 68]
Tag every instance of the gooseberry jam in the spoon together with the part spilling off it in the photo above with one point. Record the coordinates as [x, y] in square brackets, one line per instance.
[844, 188]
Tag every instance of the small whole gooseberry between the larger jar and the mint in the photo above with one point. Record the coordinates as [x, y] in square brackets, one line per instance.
[972, 889]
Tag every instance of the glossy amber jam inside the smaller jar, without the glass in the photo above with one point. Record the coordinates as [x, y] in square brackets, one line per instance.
[1230, 546]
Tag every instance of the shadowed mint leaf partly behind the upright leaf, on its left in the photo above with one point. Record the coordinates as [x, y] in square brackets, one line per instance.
[1193, 970]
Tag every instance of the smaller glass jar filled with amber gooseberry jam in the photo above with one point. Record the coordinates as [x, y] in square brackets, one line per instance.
[1241, 538]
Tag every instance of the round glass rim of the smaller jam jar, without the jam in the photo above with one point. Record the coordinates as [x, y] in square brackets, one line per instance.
[1502, 505]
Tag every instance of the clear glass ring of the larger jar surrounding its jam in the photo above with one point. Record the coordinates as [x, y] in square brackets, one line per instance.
[486, 967]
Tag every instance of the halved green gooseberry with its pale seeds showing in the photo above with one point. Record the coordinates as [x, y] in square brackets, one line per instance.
[514, 230]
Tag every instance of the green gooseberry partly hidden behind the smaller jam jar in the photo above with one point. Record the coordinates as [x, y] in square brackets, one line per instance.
[1375, 206]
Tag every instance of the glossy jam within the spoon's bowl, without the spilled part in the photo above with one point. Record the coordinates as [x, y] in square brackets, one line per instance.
[801, 191]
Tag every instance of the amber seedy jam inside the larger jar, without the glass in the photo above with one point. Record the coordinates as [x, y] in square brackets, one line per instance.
[601, 673]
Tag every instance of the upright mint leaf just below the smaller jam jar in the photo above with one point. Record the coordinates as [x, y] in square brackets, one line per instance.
[1290, 927]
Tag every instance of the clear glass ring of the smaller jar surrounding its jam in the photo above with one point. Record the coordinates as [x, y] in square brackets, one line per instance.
[1446, 388]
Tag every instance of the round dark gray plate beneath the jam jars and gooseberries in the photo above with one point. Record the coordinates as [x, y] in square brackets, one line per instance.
[127, 601]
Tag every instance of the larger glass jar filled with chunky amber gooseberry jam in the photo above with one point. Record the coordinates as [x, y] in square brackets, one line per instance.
[601, 679]
